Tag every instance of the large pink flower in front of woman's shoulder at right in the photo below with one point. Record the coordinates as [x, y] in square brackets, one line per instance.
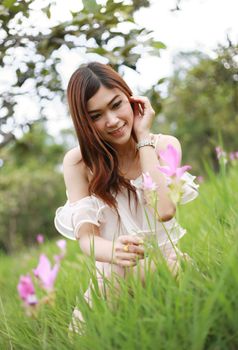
[172, 158]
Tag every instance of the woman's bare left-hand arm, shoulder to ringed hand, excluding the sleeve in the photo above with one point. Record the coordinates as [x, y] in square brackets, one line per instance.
[76, 181]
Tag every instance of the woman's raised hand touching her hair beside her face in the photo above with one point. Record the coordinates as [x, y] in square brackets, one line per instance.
[143, 116]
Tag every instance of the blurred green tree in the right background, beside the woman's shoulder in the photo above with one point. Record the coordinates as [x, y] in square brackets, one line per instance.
[202, 104]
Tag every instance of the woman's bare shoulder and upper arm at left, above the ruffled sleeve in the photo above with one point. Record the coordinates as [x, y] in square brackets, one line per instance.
[75, 175]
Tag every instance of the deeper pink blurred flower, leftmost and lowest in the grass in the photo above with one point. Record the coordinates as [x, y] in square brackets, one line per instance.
[26, 290]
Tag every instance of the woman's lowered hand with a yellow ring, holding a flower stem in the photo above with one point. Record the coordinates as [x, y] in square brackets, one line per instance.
[127, 250]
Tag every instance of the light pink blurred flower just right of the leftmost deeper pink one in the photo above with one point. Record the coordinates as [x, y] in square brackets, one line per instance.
[45, 274]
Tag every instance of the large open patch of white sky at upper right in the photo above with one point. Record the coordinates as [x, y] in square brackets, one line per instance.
[201, 24]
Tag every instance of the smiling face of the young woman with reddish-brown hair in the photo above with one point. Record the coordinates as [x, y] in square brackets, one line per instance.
[112, 115]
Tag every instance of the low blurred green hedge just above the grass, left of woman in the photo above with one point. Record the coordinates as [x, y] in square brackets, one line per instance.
[28, 202]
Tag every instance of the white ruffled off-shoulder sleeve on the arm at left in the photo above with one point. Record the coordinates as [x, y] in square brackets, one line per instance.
[70, 217]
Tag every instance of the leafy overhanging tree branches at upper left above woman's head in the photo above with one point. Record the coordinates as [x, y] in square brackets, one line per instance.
[33, 52]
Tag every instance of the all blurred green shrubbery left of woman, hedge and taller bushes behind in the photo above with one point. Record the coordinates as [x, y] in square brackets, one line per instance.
[31, 188]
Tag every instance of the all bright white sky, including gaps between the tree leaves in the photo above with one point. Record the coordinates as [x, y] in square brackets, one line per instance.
[201, 24]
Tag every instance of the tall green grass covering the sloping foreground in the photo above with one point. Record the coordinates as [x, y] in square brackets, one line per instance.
[198, 310]
